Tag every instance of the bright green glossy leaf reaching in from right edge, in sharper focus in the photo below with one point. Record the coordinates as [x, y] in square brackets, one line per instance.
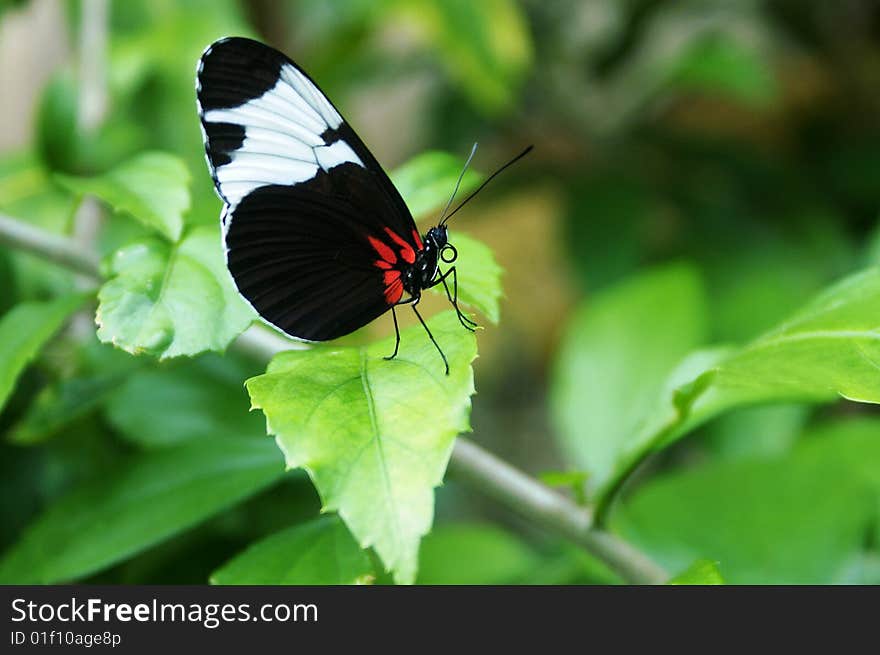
[830, 349]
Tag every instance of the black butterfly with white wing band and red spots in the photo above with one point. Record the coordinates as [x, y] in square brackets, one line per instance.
[317, 238]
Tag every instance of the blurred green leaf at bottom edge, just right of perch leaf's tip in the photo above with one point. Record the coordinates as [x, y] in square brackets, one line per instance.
[473, 554]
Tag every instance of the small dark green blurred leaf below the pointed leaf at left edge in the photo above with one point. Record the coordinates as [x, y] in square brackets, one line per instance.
[59, 404]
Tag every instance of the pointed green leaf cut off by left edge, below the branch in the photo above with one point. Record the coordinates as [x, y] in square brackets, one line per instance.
[24, 330]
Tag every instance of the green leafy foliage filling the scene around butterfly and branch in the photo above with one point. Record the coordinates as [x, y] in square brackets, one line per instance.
[679, 289]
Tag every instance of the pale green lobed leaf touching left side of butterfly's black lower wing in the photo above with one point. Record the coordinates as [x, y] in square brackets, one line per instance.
[171, 299]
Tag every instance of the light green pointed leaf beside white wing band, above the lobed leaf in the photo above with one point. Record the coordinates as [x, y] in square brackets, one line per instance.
[153, 187]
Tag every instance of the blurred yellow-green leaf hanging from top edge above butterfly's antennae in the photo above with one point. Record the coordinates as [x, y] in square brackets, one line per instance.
[485, 46]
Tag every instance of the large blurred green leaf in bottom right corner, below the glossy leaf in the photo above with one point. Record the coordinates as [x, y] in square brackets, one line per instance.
[794, 520]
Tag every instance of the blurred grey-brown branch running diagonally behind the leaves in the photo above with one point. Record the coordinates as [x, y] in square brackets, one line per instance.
[469, 462]
